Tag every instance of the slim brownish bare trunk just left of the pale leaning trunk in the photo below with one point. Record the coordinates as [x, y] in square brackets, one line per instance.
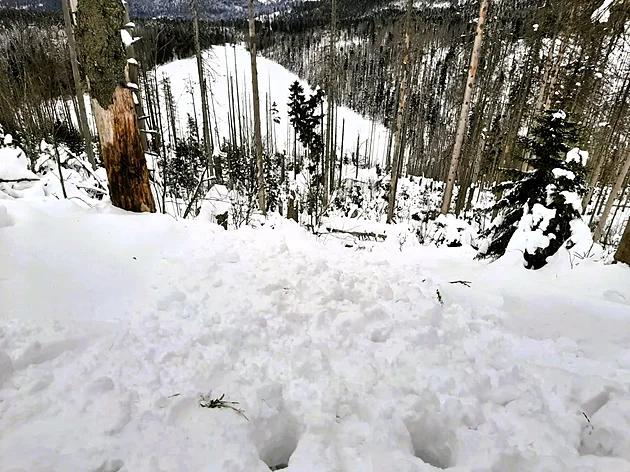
[402, 102]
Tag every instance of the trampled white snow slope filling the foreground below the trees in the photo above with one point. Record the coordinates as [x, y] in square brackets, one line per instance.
[112, 325]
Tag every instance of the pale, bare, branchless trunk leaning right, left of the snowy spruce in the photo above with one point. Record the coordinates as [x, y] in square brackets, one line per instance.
[463, 117]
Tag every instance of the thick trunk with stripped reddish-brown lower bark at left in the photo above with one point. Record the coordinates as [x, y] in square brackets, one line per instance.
[99, 23]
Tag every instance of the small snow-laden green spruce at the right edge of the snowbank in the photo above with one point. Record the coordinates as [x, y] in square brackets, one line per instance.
[536, 212]
